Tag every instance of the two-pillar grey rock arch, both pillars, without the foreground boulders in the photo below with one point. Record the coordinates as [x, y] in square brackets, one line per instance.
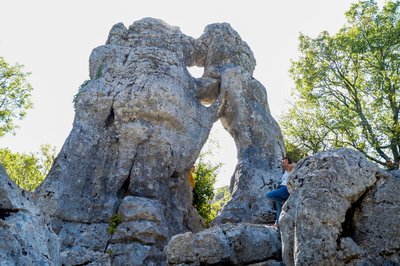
[140, 124]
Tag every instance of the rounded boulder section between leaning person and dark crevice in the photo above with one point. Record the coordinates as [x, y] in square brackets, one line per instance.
[322, 190]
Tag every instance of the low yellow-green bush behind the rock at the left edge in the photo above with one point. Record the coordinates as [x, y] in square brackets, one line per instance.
[28, 170]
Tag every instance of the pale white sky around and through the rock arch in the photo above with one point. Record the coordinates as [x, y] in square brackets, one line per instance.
[53, 40]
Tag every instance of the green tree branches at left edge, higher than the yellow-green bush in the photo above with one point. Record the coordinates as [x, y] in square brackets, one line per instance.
[15, 94]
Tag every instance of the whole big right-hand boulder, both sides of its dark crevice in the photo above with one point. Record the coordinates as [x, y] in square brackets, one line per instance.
[338, 213]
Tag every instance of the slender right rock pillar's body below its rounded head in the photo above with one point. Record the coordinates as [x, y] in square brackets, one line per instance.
[260, 148]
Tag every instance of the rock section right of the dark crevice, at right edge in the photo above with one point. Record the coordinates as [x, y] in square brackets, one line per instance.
[375, 222]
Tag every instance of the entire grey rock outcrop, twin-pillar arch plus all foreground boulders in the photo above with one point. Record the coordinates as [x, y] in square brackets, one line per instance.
[118, 191]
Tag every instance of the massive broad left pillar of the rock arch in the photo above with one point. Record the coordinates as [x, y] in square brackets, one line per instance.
[138, 128]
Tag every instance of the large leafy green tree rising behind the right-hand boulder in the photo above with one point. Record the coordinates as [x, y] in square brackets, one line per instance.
[347, 86]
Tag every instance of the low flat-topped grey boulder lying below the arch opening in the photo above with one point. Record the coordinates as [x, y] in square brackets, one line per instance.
[228, 244]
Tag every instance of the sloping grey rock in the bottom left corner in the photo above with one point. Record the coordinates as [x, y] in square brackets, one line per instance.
[25, 234]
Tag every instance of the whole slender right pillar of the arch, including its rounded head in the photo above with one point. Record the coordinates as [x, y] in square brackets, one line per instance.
[246, 116]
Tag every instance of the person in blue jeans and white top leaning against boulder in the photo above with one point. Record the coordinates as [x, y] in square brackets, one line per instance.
[281, 194]
